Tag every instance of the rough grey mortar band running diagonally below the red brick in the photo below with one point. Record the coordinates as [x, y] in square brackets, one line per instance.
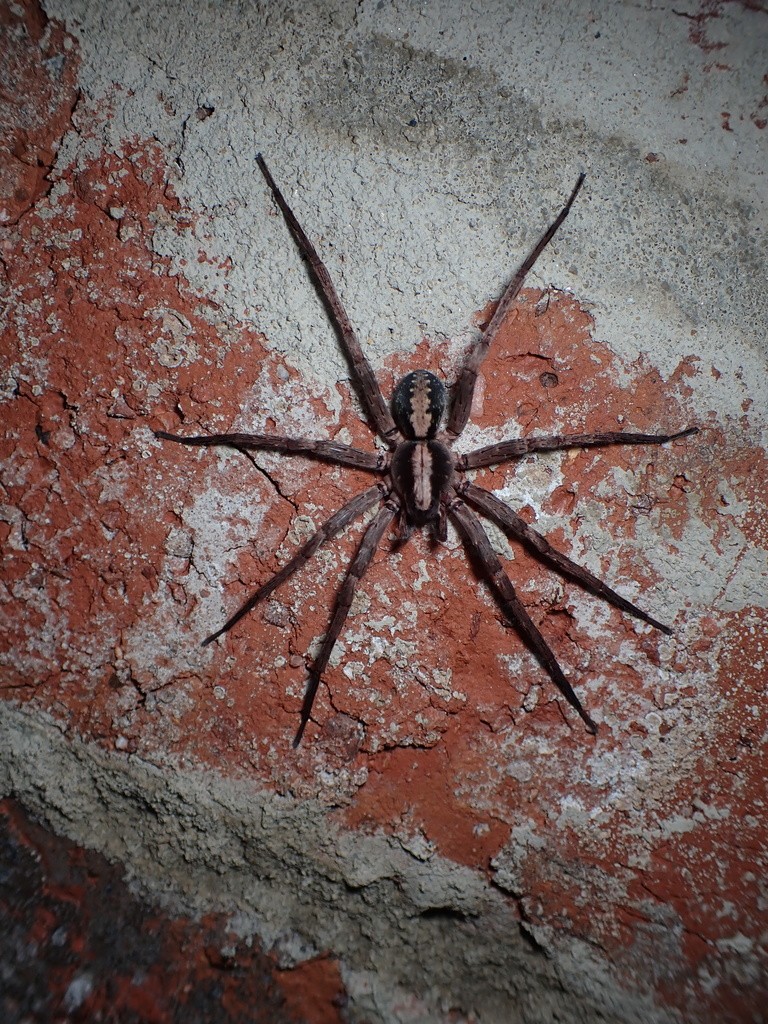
[417, 935]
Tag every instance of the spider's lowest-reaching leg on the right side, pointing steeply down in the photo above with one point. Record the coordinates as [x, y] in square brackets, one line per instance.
[479, 545]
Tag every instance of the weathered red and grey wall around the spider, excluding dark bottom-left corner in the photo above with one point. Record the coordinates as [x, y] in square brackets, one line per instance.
[447, 835]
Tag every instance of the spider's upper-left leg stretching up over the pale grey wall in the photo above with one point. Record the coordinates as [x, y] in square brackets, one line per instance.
[370, 393]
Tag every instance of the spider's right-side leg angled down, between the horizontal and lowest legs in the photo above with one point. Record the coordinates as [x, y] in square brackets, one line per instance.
[495, 509]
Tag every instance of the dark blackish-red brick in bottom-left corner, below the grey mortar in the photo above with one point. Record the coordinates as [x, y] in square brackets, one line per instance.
[76, 945]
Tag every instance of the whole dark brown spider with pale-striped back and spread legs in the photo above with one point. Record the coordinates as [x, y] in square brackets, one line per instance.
[421, 481]
